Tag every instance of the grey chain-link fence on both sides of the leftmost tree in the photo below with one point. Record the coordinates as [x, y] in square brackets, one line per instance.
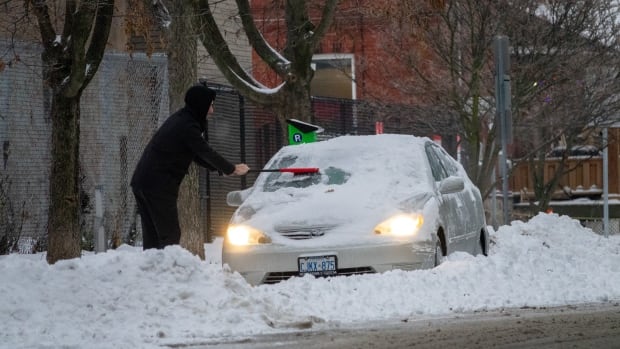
[120, 109]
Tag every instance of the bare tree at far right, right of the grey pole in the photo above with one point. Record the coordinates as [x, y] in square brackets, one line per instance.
[567, 83]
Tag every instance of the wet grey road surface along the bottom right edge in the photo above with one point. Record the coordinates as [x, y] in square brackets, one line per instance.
[579, 326]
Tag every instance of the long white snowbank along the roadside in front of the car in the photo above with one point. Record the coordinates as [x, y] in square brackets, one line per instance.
[129, 298]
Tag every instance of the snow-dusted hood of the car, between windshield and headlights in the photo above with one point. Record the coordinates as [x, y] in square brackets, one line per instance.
[331, 216]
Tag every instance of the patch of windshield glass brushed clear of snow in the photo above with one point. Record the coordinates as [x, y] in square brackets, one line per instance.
[279, 180]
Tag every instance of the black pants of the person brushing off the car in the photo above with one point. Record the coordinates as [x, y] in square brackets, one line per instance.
[160, 220]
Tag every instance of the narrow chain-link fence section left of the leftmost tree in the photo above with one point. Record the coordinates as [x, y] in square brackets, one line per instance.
[24, 135]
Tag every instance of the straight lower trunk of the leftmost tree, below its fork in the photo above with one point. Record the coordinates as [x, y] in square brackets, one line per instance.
[63, 221]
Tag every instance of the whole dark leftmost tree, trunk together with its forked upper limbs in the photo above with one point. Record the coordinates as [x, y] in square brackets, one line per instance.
[74, 41]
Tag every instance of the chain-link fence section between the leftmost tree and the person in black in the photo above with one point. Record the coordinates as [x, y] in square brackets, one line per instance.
[120, 111]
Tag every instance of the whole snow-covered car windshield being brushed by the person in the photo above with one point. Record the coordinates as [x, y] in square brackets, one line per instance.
[371, 167]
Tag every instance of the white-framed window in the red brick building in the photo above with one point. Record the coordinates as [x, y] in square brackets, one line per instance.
[334, 76]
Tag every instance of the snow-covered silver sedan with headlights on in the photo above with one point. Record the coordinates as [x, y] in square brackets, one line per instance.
[377, 203]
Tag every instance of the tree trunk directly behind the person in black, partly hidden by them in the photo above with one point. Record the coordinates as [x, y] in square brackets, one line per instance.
[182, 70]
